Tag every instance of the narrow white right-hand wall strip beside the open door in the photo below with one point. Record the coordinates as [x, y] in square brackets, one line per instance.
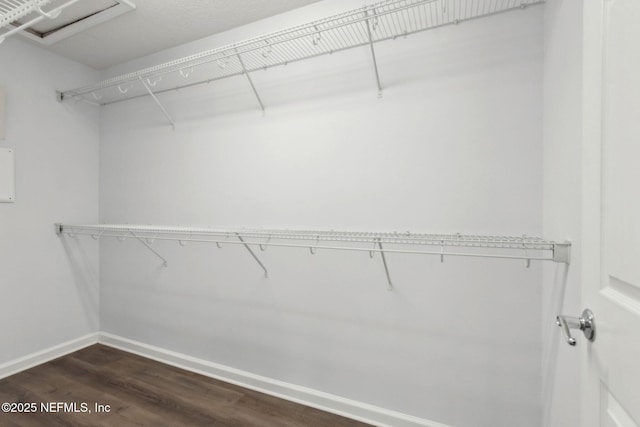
[562, 205]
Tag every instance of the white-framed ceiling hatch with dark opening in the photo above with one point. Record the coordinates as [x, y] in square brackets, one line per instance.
[75, 17]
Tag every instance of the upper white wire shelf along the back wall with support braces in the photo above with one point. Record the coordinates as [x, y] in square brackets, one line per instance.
[372, 24]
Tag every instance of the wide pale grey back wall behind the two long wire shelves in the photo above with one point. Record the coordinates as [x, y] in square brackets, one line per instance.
[454, 146]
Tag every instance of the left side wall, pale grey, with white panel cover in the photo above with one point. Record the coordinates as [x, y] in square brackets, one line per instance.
[49, 290]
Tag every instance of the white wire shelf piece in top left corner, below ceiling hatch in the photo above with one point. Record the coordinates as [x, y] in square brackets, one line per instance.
[19, 15]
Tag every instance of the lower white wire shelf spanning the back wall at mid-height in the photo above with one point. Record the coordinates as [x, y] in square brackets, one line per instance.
[525, 248]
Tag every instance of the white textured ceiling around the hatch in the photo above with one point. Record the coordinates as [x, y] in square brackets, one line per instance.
[159, 24]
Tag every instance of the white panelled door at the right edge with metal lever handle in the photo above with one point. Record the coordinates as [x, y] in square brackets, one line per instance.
[611, 226]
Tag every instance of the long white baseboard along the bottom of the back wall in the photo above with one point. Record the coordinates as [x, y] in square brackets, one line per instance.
[327, 402]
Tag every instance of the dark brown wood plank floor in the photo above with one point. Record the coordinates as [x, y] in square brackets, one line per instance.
[142, 392]
